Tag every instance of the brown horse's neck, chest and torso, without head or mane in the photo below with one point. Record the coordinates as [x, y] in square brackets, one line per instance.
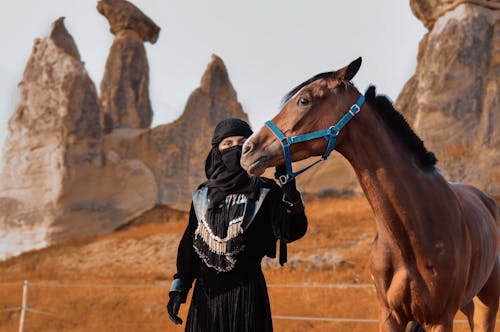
[436, 242]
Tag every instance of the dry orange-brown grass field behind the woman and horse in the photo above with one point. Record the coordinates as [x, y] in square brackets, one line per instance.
[120, 282]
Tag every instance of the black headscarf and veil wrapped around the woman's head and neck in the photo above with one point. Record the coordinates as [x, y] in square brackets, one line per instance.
[224, 173]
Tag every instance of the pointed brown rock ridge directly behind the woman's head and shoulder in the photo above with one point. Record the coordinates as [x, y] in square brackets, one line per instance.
[176, 152]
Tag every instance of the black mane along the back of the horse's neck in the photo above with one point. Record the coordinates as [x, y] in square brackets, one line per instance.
[398, 125]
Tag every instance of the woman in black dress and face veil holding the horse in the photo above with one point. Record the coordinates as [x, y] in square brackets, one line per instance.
[235, 220]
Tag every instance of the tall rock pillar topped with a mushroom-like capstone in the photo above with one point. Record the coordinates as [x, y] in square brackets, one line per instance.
[124, 95]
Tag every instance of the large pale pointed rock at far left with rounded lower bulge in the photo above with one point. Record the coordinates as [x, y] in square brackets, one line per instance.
[57, 180]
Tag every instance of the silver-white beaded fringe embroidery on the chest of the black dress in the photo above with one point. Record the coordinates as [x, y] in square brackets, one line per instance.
[219, 235]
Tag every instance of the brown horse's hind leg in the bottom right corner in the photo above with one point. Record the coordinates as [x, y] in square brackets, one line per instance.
[486, 303]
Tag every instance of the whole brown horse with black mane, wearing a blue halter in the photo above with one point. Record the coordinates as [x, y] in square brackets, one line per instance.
[437, 246]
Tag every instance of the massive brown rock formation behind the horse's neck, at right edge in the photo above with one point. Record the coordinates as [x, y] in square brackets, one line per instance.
[453, 99]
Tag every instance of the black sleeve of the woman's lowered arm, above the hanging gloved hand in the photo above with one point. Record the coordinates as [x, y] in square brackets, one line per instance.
[187, 259]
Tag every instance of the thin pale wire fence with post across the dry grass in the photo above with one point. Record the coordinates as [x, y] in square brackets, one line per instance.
[25, 308]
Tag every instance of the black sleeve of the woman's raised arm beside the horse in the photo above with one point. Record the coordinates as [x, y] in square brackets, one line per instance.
[287, 226]
